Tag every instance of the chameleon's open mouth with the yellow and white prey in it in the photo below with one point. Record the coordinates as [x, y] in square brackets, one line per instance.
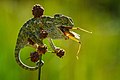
[70, 34]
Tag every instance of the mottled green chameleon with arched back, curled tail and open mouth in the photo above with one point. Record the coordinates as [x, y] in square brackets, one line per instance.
[56, 27]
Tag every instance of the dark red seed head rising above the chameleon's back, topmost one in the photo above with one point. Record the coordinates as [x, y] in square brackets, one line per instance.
[37, 11]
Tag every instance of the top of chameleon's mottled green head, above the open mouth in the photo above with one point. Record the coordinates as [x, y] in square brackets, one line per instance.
[61, 20]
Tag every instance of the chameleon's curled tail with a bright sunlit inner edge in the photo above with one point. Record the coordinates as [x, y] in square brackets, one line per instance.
[18, 60]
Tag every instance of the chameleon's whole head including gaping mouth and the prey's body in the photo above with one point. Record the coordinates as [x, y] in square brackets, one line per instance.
[64, 24]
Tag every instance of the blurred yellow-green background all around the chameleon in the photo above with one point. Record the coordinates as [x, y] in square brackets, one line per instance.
[99, 58]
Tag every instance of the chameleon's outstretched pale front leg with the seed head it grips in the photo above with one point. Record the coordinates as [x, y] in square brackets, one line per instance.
[59, 52]
